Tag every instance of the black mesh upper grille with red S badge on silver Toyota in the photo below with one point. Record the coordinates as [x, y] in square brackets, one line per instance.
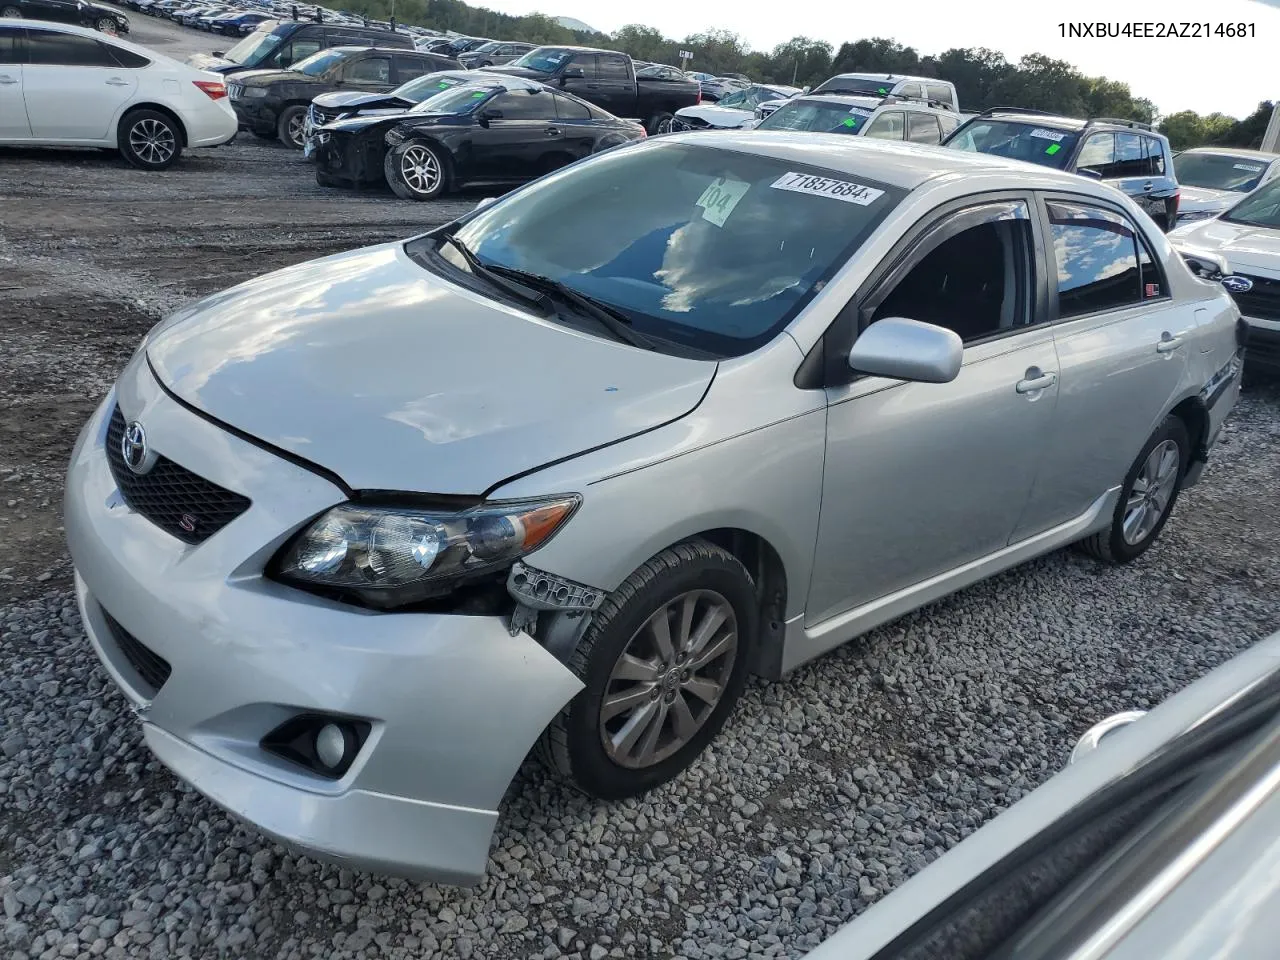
[172, 497]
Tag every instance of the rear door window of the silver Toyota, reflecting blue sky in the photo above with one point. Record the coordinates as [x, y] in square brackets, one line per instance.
[1098, 259]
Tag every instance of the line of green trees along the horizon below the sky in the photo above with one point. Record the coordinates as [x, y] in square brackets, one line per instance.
[984, 79]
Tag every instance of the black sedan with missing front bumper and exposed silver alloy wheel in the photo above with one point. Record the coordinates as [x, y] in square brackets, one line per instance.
[490, 130]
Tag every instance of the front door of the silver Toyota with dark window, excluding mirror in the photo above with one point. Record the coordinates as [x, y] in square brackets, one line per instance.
[924, 478]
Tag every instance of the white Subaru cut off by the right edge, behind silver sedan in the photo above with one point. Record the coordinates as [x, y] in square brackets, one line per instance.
[1244, 246]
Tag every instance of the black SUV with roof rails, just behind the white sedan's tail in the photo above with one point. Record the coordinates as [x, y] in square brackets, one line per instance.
[278, 45]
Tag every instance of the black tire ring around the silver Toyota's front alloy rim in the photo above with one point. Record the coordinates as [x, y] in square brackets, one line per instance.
[592, 767]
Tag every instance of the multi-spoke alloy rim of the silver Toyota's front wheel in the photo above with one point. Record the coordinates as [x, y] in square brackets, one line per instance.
[669, 679]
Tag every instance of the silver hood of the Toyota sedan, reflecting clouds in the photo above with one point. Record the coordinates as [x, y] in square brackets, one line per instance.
[391, 377]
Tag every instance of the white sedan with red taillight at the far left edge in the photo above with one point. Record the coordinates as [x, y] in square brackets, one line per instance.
[76, 88]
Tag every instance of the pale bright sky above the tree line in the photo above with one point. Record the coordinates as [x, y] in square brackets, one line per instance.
[1227, 75]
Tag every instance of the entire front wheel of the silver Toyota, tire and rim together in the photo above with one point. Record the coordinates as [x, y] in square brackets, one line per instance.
[574, 744]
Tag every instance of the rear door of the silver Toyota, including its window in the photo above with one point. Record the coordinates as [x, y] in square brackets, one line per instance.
[1123, 349]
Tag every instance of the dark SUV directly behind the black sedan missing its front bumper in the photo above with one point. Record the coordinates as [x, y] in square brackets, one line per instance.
[275, 103]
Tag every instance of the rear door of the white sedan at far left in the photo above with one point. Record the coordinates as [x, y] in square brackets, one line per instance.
[74, 88]
